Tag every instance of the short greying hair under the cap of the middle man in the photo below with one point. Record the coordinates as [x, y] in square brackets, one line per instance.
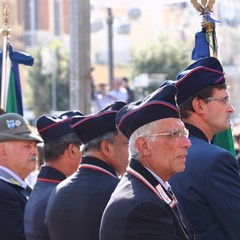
[96, 142]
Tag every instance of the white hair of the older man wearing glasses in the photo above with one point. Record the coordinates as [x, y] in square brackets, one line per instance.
[143, 131]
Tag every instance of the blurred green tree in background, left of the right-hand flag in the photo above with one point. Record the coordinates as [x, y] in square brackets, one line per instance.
[161, 57]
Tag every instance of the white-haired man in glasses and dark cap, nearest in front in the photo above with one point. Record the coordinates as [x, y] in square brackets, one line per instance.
[143, 205]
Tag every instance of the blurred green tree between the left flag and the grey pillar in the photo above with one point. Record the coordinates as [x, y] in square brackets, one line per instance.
[40, 83]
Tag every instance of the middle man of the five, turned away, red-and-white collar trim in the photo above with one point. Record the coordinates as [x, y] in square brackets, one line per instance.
[75, 207]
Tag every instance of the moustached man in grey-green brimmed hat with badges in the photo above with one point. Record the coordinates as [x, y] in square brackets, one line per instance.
[18, 155]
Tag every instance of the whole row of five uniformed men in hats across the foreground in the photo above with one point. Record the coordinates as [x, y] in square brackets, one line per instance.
[132, 170]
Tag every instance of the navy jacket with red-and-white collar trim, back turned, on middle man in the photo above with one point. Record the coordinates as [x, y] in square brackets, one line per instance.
[75, 207]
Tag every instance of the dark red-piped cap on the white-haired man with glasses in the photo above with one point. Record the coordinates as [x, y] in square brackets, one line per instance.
[158, 105]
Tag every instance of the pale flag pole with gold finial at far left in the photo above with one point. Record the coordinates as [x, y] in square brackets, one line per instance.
[4, 79]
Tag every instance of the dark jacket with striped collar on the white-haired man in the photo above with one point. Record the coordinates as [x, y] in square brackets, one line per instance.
[135, 211]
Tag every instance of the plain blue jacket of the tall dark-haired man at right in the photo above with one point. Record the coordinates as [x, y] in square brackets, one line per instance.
[209, 189]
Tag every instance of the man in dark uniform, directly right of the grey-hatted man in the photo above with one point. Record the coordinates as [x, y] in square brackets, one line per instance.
[62, 157]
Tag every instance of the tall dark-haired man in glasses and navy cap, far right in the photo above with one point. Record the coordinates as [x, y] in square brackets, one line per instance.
[209, 188]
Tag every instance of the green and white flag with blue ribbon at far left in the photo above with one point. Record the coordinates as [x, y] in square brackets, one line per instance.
[11, 92]
